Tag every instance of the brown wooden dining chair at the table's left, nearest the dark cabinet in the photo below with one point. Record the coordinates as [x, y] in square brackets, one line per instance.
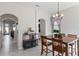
[44, 45]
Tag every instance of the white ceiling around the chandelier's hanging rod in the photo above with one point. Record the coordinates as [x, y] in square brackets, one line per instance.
[52, 6]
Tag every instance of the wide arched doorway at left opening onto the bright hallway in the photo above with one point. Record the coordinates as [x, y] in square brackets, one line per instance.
[8, 32]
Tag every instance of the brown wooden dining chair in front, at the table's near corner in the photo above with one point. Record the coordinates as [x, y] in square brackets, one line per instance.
[59, 47]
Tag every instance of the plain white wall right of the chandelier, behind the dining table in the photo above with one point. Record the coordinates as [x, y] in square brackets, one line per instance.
[70, 21]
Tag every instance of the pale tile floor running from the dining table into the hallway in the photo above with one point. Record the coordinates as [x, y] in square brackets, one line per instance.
[13, 51]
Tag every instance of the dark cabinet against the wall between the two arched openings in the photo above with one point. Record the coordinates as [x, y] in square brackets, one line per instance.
[29, 41]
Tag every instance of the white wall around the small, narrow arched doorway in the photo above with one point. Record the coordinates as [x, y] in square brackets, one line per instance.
[41, 13]
